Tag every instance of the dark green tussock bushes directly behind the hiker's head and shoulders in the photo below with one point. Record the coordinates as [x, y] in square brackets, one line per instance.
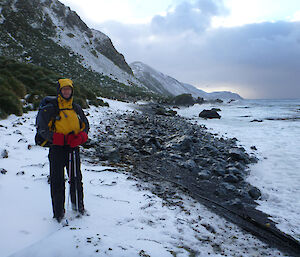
[22, 86]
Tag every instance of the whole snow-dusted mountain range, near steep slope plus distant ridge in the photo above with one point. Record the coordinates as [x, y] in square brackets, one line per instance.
[49, 34]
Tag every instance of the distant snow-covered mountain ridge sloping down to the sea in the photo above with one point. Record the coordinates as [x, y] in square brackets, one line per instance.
[164, 84]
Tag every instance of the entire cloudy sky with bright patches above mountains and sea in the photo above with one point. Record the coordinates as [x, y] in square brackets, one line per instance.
[250, 47]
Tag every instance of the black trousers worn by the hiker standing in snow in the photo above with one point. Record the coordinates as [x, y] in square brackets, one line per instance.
[59, 158]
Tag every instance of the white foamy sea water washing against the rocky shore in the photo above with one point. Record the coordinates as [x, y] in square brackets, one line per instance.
[273, 127]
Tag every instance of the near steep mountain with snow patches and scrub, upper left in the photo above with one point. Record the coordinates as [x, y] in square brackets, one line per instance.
[49, 34]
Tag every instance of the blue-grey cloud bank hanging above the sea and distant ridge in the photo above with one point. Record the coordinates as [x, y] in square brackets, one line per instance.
[260, 60]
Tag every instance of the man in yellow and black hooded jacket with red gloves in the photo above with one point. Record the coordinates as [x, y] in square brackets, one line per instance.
[65, 126]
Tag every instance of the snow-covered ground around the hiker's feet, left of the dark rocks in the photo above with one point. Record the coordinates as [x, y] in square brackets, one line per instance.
[126, 219]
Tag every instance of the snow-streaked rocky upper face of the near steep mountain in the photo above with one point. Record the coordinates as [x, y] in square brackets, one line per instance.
[90, 45]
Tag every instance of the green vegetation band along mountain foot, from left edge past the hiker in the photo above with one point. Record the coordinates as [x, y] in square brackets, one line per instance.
[23, 85]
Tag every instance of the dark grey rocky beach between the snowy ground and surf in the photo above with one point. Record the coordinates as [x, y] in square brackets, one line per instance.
[171, 153]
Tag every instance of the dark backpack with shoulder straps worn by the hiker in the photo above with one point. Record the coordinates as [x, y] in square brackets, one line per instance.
[39, 140]
